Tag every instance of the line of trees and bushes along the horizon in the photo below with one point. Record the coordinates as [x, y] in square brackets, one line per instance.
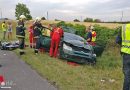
[23, 9]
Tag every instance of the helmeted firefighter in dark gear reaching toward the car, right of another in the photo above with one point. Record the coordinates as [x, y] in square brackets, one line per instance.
[37, 32]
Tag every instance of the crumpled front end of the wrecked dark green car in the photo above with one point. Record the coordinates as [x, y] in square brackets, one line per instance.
[77, 54]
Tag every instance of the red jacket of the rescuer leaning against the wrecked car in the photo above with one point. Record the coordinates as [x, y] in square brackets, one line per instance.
[57, 33]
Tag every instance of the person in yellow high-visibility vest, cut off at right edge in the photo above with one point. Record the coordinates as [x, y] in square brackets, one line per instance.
[123, 39]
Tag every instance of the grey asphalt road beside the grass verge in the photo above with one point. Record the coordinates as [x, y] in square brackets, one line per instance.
[19, 76]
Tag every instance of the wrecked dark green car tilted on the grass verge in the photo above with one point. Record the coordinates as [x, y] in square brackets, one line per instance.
[72, 47]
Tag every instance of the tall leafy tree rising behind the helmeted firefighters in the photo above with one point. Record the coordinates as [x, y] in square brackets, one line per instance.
[21, 9]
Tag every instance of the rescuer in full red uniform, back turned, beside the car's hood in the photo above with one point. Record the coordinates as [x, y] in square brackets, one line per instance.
[56, 35]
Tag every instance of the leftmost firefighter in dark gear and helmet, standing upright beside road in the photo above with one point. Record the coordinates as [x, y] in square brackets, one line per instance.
[20, 33]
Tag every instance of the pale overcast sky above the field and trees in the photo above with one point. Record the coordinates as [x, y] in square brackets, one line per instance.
[106, 10]
